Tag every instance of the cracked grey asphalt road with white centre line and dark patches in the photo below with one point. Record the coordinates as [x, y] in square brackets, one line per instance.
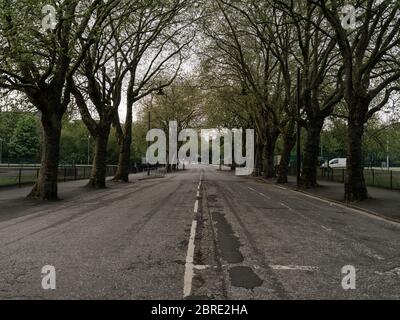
[198, 234]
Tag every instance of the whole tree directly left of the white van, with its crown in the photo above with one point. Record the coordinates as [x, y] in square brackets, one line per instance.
[314, 50]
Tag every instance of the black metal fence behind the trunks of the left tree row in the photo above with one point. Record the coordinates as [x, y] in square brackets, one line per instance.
[27, 174]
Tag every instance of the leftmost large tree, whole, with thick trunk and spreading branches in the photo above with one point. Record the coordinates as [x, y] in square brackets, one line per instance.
[39, 63]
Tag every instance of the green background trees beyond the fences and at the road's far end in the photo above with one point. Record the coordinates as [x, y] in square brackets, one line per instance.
[21, 135]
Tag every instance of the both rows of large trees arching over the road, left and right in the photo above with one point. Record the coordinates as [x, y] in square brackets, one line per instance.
[259, 62]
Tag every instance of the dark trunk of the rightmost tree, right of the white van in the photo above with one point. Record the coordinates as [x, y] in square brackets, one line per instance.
[355, 187]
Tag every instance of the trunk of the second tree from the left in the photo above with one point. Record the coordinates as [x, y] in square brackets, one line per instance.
[98, 175]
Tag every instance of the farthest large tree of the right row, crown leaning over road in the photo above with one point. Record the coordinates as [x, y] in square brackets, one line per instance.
[241, 58]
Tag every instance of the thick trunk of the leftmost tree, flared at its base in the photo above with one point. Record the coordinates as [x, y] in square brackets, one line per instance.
[46, 185]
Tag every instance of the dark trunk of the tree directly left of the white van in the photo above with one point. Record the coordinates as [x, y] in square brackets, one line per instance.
[311, 151]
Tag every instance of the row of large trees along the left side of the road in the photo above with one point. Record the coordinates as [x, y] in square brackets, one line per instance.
[100, 55]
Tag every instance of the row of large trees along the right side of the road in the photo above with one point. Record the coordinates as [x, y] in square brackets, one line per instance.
[255, 52]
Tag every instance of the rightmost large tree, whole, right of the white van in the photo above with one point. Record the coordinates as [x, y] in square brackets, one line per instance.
[371, 68]
